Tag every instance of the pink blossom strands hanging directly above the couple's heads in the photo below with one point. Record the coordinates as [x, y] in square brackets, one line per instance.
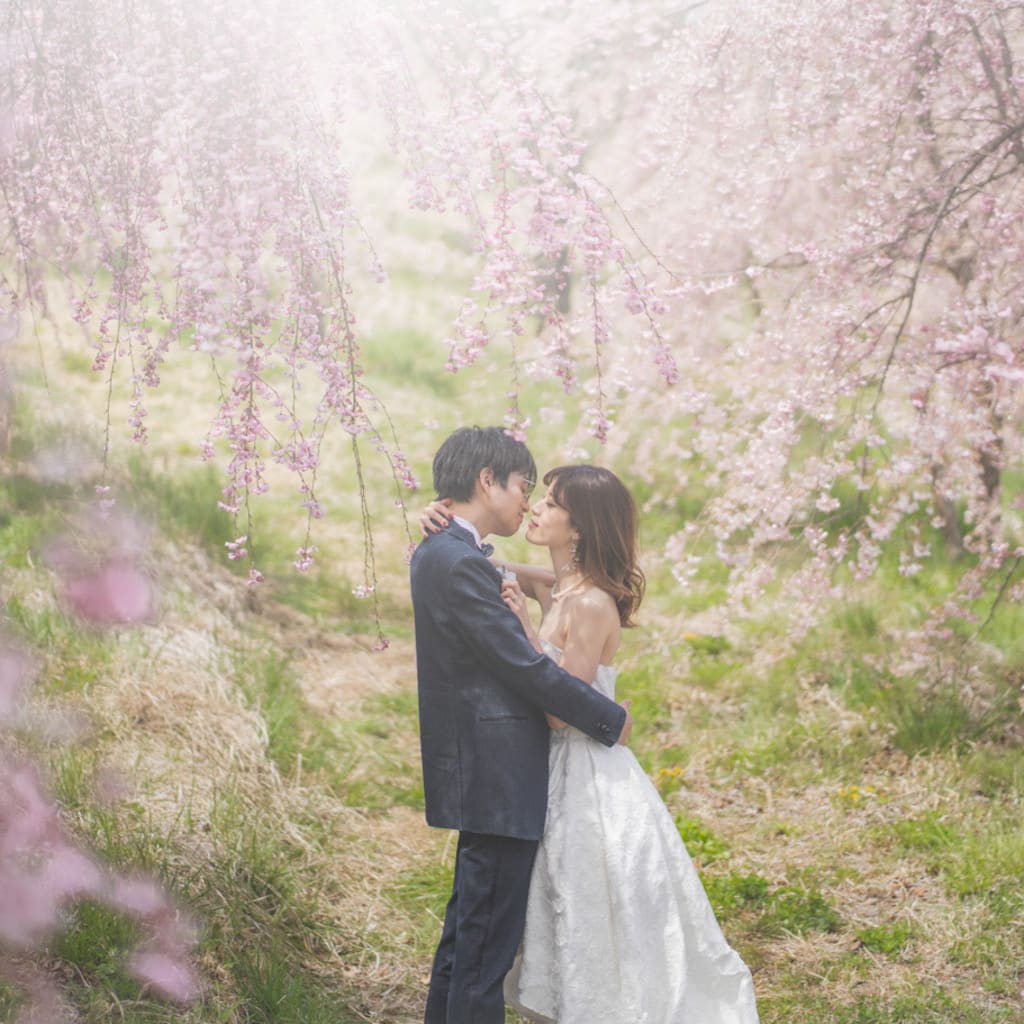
[507, 157]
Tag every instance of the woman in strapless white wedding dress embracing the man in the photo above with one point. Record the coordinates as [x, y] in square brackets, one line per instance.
[619, 928]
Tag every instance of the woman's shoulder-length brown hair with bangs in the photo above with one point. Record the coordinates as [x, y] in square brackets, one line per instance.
[605, 516]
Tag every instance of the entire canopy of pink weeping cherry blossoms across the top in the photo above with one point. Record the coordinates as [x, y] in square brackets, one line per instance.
[843, 223]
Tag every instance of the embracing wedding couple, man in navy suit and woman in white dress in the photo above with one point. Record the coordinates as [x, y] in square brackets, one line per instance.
[574, 898]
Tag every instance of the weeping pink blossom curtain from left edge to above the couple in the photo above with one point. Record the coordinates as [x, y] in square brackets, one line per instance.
[186, 170]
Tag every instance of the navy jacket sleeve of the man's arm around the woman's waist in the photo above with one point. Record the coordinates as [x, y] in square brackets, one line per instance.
[493, 631]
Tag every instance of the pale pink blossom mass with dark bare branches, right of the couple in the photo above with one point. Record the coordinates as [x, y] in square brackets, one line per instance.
[839, 211]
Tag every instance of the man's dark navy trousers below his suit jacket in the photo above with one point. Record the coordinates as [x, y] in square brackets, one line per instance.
[484, 926]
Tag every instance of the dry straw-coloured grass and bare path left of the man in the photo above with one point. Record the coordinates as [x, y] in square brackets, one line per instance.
[176, 714]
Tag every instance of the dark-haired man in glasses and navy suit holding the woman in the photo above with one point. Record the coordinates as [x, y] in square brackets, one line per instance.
[484, 692]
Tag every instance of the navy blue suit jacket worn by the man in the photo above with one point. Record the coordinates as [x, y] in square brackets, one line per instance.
[484, 691]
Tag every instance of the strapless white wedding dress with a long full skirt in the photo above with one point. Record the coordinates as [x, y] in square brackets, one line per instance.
[619, 928]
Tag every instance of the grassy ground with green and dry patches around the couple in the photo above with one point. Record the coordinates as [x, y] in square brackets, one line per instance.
[860, 834]
